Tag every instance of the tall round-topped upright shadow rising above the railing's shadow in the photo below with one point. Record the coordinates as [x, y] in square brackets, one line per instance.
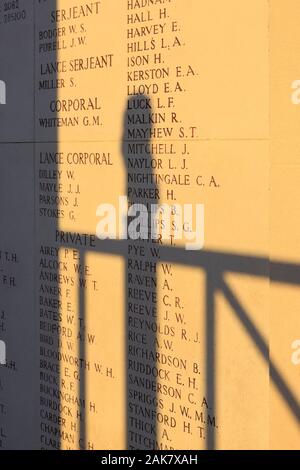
[141, 276]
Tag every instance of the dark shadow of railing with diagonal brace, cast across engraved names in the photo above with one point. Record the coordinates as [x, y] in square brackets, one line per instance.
[215, 265]
